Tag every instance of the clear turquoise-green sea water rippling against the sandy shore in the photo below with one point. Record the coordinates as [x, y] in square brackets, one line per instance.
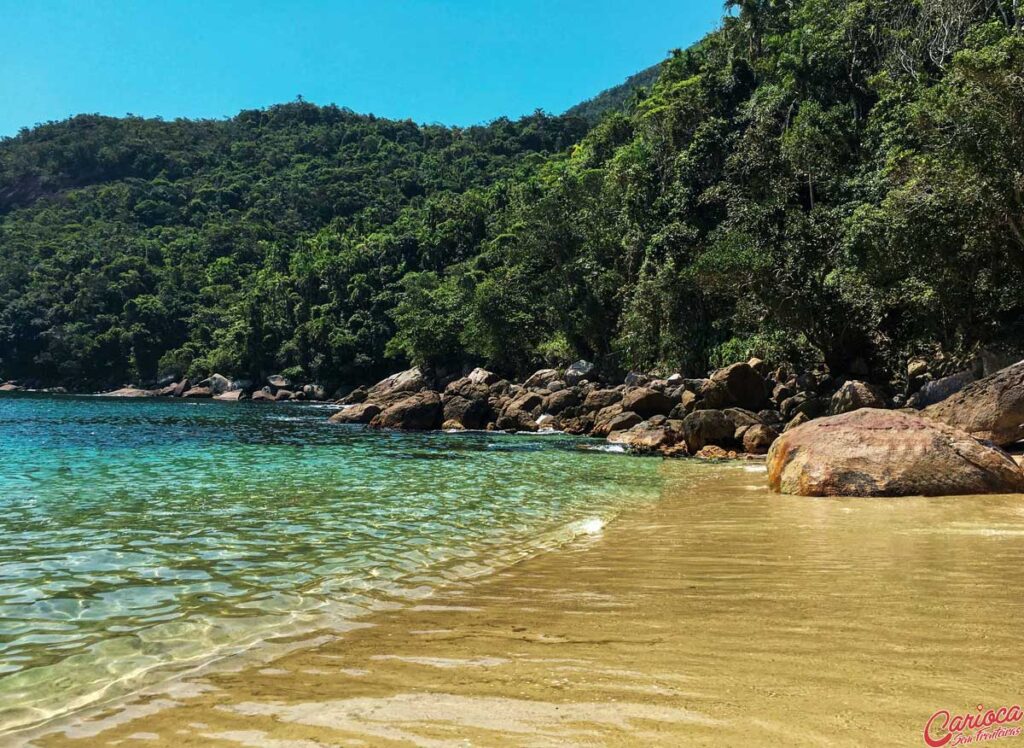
[142, 537]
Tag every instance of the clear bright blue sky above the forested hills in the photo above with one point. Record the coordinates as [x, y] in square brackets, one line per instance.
[456, 62]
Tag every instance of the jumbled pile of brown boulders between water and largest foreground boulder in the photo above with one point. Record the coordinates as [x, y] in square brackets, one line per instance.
[740, 409]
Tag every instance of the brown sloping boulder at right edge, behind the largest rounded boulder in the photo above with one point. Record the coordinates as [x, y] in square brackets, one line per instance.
[992, 408]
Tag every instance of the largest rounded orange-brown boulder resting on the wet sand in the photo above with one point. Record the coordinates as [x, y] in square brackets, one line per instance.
[873, 452]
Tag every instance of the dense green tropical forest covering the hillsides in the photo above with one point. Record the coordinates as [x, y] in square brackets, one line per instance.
[819, 181]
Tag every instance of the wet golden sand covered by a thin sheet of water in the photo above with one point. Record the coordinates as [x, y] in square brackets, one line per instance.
[722, 615]
